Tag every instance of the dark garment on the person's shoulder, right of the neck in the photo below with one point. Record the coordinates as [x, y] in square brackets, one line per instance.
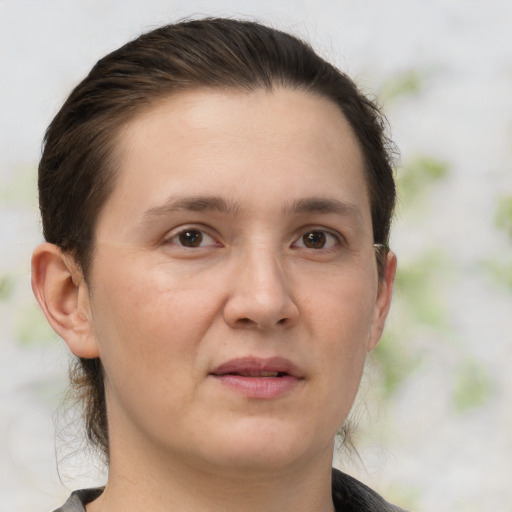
[350, 495]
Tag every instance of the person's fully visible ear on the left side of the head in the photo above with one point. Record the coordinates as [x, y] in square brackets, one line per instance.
[59, 287]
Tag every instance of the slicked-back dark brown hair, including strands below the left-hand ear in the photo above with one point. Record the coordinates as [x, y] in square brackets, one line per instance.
[77, 171]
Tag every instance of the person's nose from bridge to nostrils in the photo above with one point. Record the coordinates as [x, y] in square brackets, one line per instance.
[260, 296]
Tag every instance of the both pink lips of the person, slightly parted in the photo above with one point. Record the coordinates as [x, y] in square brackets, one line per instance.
[259, 378]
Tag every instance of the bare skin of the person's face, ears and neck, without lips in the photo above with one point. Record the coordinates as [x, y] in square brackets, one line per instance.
[162, 316]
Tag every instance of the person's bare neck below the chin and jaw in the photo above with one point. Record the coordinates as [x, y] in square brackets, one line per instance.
[163, 486]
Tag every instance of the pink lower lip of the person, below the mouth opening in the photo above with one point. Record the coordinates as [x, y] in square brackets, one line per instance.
[259, 387]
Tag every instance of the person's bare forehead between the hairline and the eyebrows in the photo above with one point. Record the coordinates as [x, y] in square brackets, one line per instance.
[259, 149]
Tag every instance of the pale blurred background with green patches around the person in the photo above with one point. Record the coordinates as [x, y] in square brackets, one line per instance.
[435, 412]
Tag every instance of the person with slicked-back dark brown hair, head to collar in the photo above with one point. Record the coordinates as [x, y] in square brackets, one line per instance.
[216, 203]
